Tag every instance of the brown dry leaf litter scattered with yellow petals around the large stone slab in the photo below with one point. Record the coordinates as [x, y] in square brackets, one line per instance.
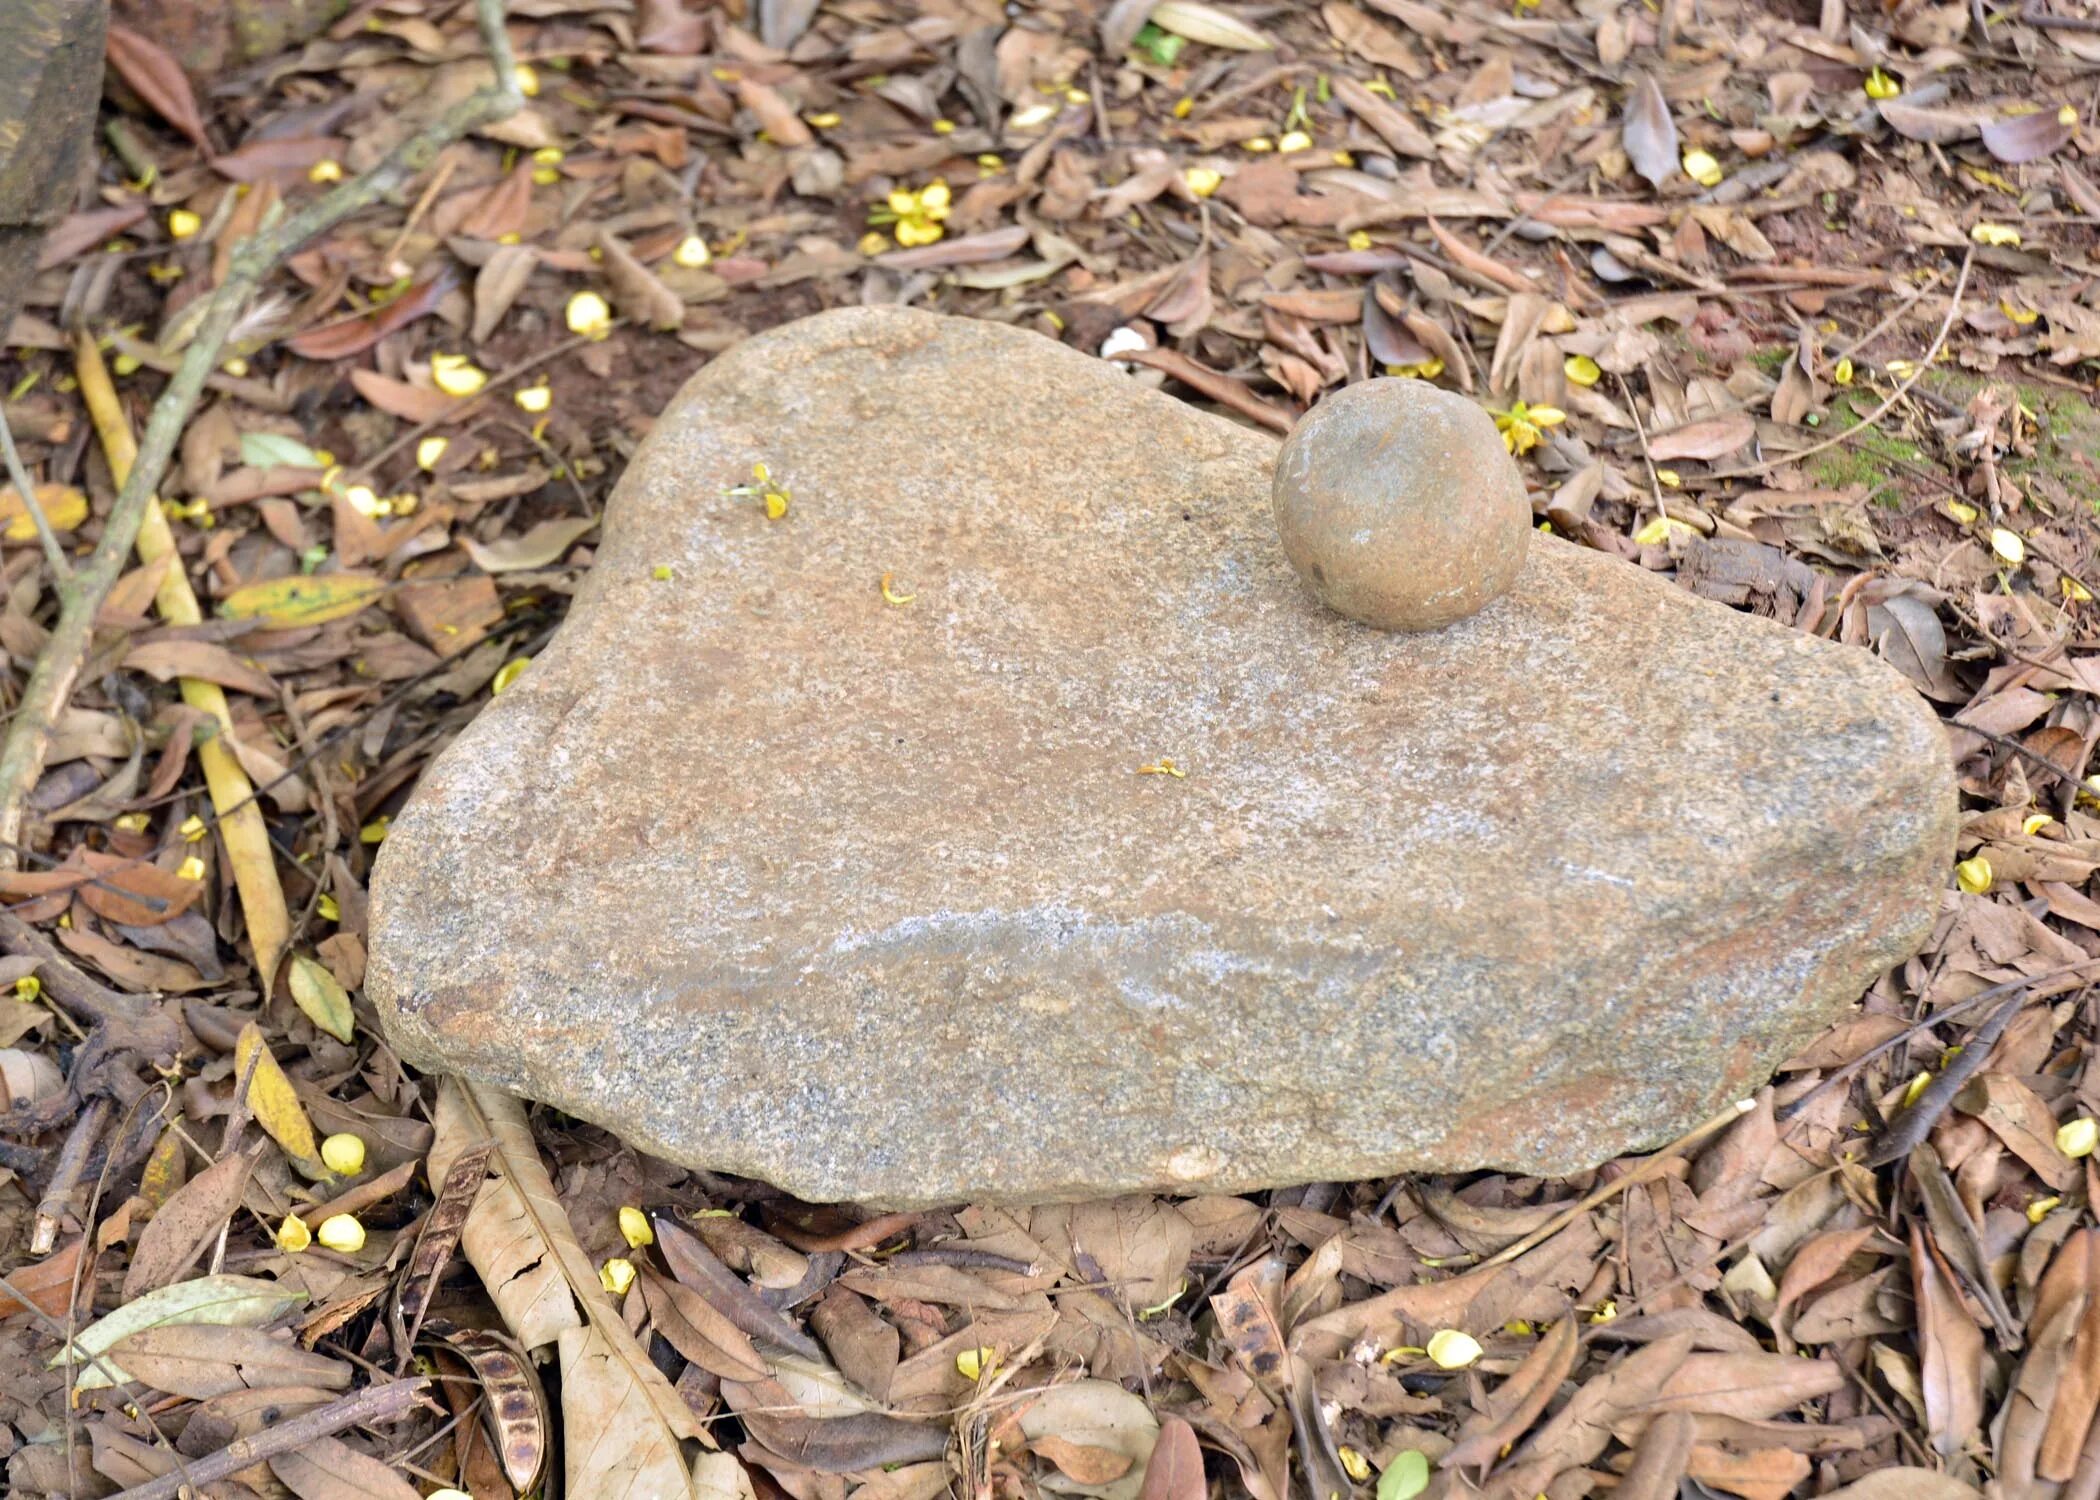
[1794, 306]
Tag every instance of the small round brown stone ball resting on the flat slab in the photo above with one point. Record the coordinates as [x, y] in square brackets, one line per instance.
[1402, 507]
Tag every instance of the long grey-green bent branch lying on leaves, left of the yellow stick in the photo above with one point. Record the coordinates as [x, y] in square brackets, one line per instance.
[58, 667]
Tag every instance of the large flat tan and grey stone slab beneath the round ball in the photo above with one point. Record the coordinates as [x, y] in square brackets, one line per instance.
[873, 900]
